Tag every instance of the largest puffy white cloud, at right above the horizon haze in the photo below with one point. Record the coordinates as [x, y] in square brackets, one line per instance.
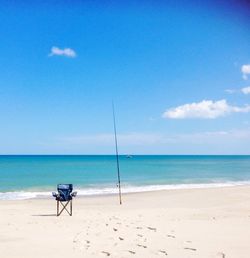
[206, 109]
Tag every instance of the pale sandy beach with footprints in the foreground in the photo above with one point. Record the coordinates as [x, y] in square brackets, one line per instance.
[173, 223]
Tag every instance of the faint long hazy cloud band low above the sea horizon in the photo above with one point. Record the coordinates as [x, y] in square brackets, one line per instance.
[149, 139]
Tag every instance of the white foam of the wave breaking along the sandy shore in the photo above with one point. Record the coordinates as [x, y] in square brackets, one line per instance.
[22, 195]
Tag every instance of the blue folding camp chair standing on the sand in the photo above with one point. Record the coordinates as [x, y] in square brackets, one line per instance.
[64, 195]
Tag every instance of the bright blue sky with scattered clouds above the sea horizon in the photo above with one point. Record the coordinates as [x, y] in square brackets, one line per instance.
[178, 73]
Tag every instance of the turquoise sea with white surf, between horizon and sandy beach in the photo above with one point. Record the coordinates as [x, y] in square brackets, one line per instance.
[31, 176]
